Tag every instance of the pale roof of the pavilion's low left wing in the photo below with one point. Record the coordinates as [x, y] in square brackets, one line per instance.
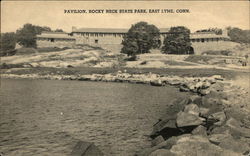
[56, 35]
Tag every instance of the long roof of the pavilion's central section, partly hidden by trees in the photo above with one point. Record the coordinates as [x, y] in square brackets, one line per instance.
[109, 30]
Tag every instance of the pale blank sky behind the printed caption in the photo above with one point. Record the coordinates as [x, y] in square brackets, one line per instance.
[202, 14]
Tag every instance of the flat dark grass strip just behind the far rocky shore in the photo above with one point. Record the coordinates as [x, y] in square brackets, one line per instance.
[164, 71]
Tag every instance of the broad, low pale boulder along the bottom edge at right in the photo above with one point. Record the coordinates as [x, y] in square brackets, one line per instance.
[197, 145]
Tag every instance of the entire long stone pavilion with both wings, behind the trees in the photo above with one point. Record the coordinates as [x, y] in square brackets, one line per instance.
[111, 39]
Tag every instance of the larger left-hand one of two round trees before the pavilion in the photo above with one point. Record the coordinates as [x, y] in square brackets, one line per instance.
[140, 38]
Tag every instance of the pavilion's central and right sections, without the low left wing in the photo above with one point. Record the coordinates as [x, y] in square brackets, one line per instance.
[201, 41]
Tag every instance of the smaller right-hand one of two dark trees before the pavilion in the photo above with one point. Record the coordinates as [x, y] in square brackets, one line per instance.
[177, 41]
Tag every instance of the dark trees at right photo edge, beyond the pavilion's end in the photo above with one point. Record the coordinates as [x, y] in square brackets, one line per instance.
[239, 35]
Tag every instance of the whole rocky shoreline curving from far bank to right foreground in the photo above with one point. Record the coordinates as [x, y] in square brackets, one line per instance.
[214, 120]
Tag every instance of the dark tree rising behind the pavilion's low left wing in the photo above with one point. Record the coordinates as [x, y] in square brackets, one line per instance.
[26, 36]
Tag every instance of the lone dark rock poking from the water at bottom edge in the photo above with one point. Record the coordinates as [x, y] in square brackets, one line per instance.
[83, 148]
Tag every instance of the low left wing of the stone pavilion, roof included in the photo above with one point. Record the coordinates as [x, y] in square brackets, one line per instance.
[55, 39]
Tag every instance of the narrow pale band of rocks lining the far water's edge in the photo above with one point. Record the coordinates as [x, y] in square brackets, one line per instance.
[198, 85]
